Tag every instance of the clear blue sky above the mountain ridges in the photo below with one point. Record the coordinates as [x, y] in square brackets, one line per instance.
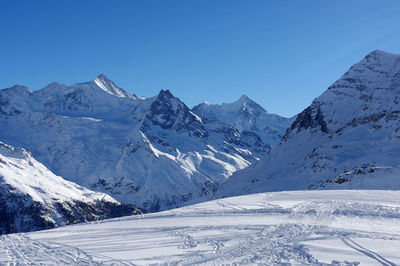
[282, 54]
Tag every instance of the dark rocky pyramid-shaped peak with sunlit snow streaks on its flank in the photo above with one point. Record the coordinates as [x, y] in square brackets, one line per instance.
[178, 158]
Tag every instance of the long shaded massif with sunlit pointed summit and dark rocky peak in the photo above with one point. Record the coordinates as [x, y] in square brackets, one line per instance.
[154, 153]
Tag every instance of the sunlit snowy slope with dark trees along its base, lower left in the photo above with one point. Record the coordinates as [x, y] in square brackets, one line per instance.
[33, 198]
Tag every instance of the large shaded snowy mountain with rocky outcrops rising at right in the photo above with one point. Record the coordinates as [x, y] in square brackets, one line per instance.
[348, 138]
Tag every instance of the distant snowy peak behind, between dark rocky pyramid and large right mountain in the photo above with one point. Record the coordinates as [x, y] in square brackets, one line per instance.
[247, 116]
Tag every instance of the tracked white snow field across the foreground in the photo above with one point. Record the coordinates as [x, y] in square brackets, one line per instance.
[299, 227]
